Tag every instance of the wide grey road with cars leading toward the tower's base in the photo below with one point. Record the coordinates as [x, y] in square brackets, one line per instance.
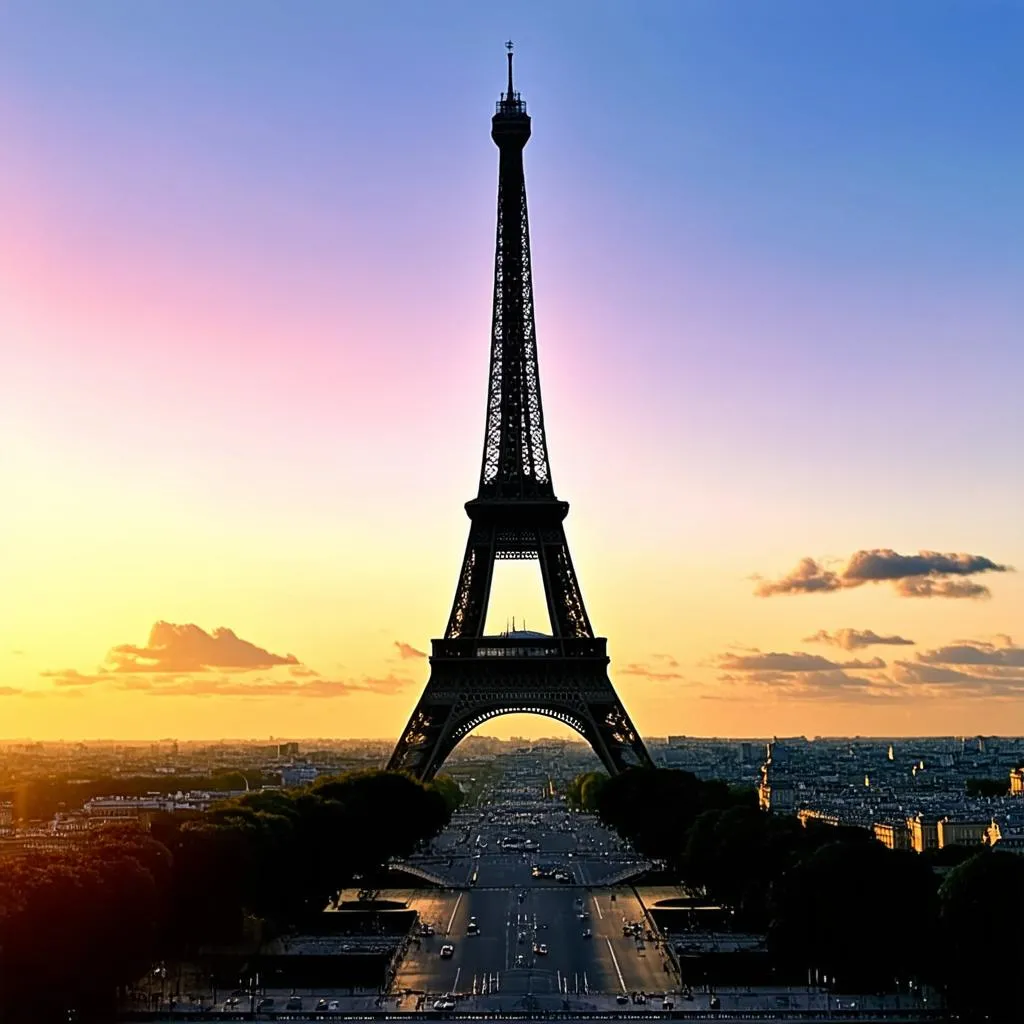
[517, 916]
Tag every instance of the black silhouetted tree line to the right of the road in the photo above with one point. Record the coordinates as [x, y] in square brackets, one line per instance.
[833, 902]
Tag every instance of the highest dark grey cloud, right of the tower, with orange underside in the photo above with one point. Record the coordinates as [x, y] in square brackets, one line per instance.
[928, 574]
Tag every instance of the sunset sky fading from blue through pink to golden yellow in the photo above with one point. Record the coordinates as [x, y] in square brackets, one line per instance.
[245, 285]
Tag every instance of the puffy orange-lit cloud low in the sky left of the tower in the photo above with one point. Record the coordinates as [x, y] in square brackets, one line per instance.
[189, 649]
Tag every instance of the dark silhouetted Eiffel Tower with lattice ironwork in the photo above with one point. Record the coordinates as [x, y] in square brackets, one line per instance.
[516, 515]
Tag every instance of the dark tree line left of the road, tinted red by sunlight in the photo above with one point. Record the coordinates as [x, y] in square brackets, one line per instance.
[77, 926]
